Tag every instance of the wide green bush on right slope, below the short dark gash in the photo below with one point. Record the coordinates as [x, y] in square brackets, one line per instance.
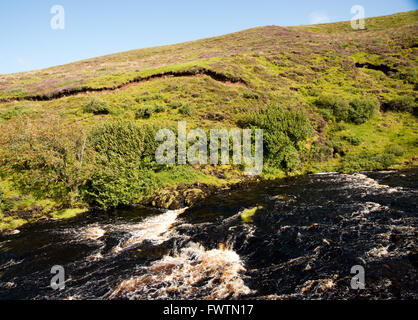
[357, 111]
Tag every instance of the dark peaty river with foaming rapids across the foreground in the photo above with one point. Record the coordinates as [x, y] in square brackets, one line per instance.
[300, 245]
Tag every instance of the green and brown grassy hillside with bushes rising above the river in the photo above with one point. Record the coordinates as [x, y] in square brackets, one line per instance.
[328, 98]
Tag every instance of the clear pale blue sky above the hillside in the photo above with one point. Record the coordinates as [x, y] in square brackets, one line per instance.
[98, 27]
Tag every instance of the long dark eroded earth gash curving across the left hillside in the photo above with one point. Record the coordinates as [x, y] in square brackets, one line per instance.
[74, 91]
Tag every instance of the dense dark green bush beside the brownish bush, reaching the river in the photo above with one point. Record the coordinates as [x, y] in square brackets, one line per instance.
[120, 175]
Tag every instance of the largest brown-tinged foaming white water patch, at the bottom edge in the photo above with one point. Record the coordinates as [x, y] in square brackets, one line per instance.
[192, 272]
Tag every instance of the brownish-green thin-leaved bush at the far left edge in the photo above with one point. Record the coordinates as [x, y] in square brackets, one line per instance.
[46, 157]
